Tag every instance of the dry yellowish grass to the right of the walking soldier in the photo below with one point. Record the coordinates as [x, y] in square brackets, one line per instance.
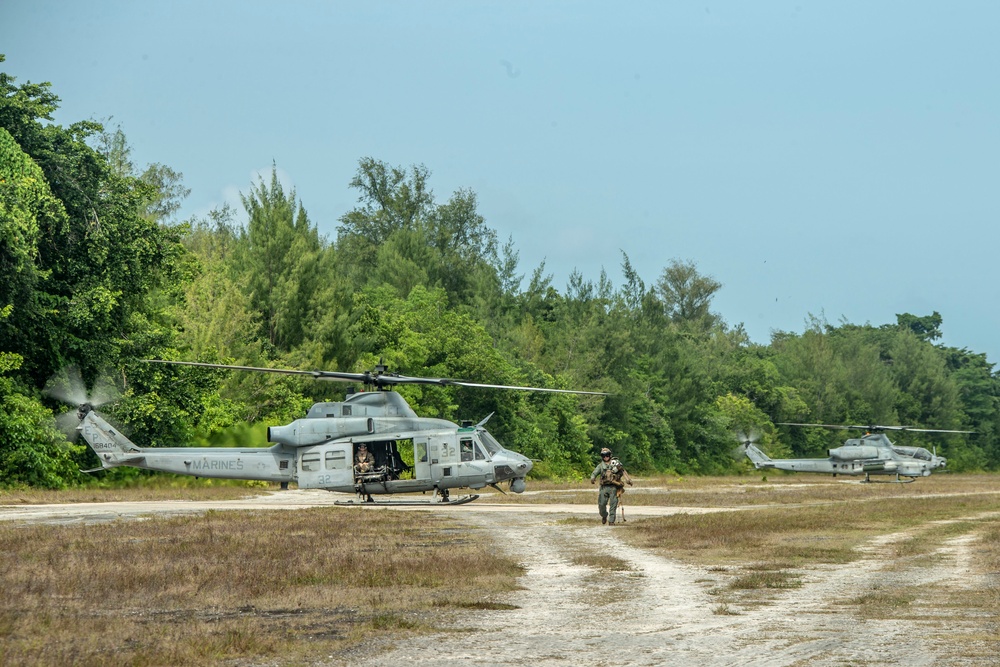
[768, 548]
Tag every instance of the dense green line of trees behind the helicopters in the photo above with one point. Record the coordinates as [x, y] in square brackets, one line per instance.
[97, 274]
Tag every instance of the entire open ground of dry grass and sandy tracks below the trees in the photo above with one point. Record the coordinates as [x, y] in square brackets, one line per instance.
[821, 572]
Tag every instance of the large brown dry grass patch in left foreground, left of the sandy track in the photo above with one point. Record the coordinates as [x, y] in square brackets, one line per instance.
[289, 587]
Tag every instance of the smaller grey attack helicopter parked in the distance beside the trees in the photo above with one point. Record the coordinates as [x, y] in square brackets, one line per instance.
[871, 454]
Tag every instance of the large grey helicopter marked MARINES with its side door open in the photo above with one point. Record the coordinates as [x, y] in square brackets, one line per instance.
[319, 451]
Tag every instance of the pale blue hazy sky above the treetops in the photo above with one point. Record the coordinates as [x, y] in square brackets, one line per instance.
[835, 158]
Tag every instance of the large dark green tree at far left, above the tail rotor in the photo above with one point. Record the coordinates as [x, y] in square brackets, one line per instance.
[101, 259]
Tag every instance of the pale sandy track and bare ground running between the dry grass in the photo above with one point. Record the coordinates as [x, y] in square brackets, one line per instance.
[657, 612]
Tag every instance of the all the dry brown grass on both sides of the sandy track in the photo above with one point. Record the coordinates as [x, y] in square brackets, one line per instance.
[300, 586]
